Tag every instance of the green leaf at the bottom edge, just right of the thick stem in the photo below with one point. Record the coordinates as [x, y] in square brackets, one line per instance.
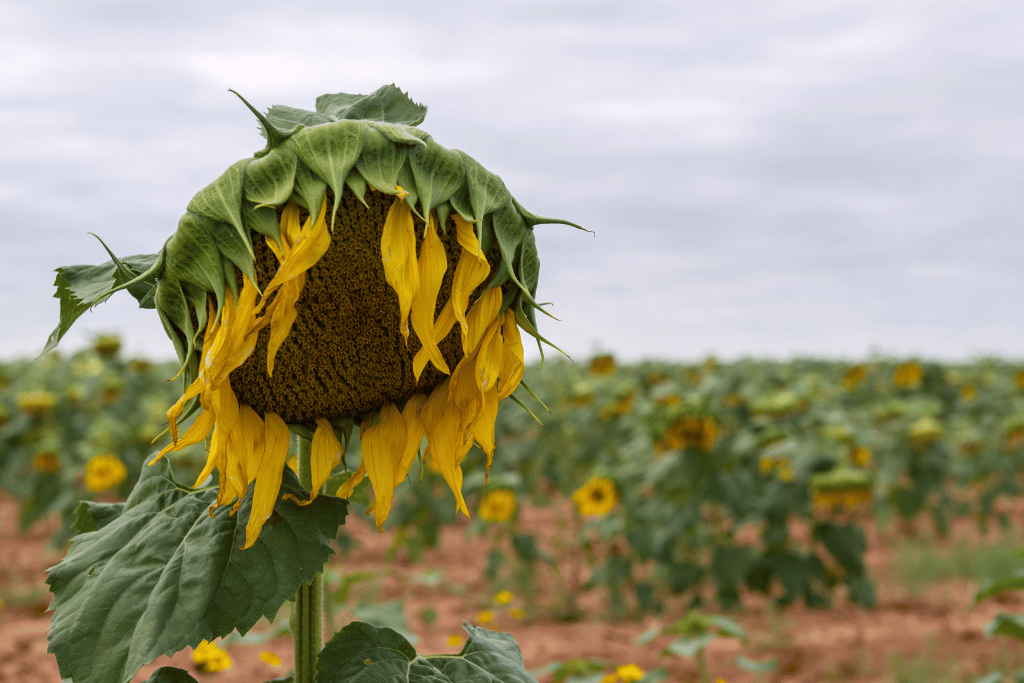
[365, 654]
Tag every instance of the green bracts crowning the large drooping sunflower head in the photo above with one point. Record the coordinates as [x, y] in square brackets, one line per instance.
[352, 142]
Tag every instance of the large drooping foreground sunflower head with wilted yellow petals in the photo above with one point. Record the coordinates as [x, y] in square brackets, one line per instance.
[352, 274]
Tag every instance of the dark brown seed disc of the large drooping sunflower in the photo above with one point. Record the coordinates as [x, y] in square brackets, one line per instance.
[346, 357]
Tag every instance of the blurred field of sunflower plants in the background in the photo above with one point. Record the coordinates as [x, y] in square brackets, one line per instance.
[675, 481]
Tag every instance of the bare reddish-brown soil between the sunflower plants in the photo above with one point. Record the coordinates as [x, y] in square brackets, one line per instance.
[940, 628]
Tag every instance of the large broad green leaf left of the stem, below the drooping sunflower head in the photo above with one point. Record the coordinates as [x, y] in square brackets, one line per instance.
[164, 575]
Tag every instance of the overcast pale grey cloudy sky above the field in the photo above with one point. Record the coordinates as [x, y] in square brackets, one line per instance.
[763, 178]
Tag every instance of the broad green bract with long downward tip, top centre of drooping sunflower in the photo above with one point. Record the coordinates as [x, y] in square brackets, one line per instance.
[330, 152]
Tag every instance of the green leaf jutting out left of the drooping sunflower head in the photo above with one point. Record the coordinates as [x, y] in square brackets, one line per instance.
[80, 287]
